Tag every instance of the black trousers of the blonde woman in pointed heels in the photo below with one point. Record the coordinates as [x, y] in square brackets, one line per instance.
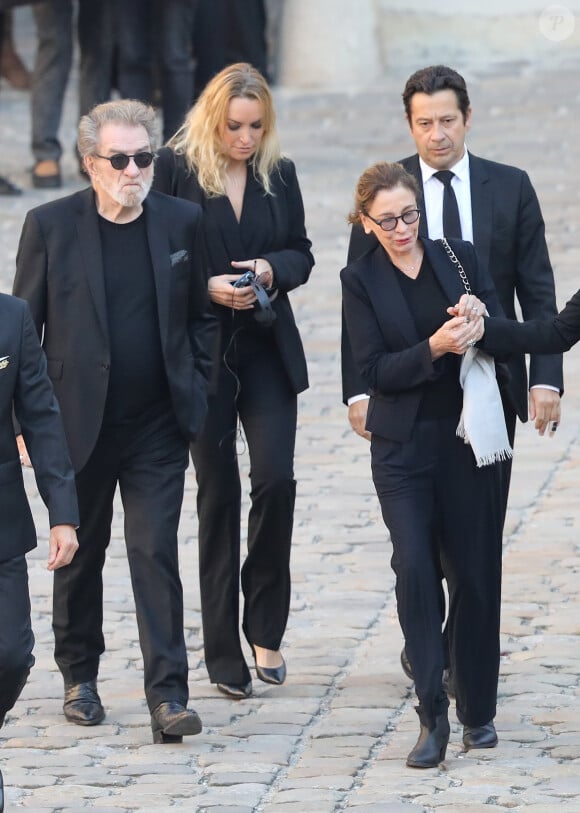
[266, 406]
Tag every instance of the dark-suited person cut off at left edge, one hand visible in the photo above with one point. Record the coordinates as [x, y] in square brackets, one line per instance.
[26, 392]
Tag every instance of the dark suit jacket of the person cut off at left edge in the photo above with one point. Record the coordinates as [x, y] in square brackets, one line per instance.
[25, 389]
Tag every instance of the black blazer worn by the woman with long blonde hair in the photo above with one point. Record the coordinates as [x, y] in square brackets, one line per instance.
[279, 238]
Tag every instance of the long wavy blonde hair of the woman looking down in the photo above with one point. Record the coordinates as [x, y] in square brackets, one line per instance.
[199, 139]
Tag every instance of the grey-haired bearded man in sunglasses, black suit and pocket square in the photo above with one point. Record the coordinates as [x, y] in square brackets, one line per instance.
[115, 280]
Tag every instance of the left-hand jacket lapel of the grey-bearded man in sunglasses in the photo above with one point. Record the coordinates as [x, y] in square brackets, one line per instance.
[87, 225]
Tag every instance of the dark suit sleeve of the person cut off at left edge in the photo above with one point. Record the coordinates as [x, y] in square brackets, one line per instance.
[37, 411]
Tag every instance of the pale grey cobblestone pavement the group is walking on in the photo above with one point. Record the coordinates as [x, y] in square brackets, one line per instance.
[335, 736]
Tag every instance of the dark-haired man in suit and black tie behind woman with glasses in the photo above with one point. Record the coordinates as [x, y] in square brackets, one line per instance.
[495, 207]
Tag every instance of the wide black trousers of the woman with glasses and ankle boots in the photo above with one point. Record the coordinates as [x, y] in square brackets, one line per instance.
[445, 514]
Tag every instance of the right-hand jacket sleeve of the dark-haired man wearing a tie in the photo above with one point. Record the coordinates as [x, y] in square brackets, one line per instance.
[535, 281]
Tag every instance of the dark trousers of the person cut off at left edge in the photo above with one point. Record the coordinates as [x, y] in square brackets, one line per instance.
[16, 637]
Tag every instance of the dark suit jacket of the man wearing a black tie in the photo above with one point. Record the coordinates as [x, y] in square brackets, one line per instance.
[509, 240]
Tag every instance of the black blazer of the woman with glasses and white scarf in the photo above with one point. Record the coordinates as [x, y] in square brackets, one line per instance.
[392, 361]
